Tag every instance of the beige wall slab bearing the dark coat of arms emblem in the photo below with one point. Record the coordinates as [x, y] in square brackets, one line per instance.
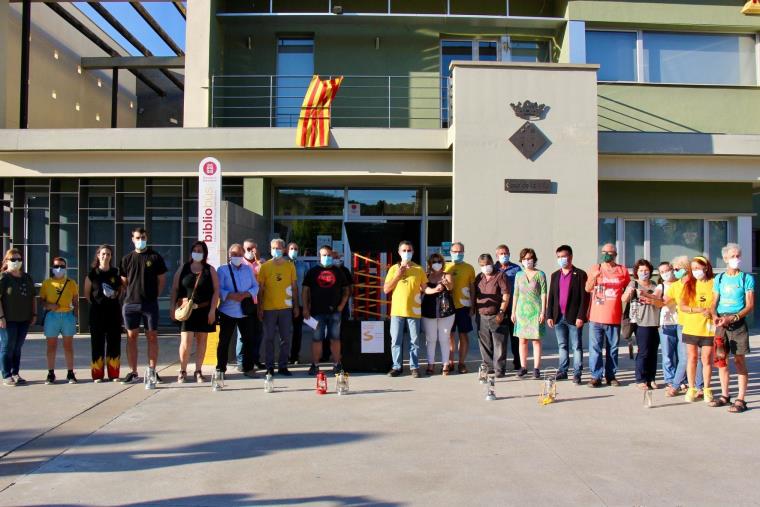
[484, 213]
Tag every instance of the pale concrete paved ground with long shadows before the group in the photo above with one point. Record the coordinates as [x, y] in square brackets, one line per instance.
[390, 442]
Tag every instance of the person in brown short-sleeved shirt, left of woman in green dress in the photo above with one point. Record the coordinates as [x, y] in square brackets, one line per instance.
[492, 297]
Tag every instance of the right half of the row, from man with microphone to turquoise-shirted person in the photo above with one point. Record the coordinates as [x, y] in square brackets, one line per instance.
[698, 317]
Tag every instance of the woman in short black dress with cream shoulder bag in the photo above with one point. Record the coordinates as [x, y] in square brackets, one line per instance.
[197, 280]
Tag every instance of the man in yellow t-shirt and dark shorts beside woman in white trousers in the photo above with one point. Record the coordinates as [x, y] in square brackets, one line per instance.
[464, 286]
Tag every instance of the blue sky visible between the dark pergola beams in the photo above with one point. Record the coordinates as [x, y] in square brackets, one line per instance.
[163, 12]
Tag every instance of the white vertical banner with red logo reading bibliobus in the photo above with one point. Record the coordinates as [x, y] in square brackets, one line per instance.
[210, 206]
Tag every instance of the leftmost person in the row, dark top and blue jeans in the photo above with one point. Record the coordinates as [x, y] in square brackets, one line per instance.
[19, 310]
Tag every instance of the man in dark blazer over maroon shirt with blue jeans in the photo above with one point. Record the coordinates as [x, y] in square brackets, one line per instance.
[567, 307]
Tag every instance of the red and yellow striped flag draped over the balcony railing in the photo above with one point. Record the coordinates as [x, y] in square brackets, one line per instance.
[314, 121]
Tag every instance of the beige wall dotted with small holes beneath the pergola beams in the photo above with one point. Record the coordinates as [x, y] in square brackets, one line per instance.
[51, 35]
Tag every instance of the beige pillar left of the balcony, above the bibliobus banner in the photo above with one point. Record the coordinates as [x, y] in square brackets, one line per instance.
[197, 63]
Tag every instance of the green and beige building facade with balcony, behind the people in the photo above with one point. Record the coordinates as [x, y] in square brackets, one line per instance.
[648, 135]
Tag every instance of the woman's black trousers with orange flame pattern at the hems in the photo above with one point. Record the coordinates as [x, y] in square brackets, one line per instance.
[105, 338]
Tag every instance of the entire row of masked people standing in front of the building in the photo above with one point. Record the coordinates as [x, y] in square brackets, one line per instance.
[697, 317]
